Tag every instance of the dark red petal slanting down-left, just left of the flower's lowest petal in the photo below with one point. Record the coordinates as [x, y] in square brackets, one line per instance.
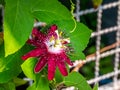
[40, 65]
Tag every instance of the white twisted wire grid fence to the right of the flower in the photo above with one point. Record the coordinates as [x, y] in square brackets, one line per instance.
[98, 35]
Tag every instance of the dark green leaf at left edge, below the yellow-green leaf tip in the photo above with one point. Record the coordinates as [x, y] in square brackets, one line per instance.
[10, 65]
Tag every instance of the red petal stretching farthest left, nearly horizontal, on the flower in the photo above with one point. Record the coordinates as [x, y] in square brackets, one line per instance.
[34, 53]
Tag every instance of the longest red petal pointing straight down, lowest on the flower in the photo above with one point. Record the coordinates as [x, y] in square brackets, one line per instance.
[51, 68]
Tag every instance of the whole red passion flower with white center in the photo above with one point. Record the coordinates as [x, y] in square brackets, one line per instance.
[50, 49]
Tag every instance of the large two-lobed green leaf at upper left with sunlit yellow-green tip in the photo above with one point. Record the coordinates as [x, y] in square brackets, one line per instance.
[19, 18]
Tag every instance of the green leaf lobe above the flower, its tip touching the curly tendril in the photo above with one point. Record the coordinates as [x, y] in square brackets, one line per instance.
[49, 12]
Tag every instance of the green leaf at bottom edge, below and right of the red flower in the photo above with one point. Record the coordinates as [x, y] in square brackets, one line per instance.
[77, 80]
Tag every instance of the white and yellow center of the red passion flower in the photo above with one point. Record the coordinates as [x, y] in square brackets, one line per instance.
[55, 45]
